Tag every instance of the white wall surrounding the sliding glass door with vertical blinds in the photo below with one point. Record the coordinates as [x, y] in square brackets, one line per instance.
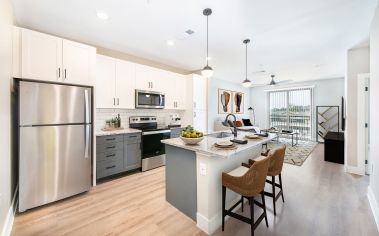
[326, 92]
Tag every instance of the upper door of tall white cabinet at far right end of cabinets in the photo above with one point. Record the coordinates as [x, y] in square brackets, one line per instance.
[199, 92]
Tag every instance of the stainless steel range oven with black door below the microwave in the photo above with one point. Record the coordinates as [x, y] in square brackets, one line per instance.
[153, 151]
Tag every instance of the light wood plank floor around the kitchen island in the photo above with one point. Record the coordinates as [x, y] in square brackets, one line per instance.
[320, 200]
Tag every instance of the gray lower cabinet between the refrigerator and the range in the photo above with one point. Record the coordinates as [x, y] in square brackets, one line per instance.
[117, 153]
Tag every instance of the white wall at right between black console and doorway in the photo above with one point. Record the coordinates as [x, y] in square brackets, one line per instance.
[358, 62]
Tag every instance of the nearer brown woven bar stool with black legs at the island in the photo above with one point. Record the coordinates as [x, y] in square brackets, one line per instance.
[248, 182]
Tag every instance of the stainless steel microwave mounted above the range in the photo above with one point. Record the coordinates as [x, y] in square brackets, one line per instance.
[149, 99]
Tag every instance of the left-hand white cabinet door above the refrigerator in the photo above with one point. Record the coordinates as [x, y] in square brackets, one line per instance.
[41, 56]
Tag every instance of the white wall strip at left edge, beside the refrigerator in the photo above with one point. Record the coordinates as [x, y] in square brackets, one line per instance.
[6, 191]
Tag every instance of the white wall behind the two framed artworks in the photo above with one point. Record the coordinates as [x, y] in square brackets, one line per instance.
[213, 86]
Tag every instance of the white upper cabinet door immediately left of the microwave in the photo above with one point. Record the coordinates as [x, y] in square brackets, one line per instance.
[125, 84]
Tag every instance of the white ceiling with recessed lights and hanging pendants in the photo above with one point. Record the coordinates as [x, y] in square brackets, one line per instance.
[294, 39]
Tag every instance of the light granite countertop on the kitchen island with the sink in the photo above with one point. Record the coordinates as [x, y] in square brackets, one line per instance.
[207, 145]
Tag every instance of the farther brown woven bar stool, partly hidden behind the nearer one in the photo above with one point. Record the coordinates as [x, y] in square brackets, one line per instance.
[276, 165]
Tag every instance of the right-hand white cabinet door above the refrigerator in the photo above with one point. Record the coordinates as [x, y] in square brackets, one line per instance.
[78, 63]
